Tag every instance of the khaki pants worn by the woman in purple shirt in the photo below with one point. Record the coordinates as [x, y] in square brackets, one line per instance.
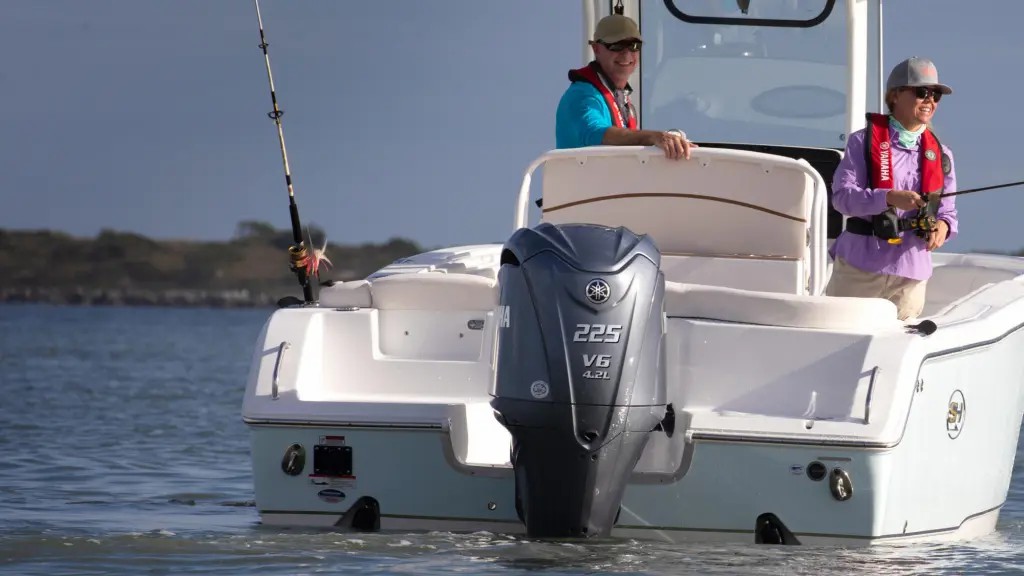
[908, 295]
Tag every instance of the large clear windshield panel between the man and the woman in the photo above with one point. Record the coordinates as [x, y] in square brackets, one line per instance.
[772, 72]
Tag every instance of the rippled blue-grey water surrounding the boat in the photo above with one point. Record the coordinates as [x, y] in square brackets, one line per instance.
[122, 451]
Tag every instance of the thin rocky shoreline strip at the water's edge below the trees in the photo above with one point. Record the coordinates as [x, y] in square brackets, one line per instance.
[240, 299]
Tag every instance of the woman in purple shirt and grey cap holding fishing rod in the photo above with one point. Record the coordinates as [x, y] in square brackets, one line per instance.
[885, 173]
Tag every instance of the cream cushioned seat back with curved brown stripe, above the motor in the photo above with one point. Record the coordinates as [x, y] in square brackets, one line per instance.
[739, 205]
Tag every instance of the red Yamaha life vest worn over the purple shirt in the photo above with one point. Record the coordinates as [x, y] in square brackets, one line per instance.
[880, 157]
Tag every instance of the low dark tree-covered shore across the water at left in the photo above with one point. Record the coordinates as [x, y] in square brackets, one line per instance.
[124, 268]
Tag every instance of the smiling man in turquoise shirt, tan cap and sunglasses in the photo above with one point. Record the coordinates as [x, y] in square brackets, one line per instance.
[596, 109]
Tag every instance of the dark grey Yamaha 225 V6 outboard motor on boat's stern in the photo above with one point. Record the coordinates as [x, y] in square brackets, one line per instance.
[580, 376]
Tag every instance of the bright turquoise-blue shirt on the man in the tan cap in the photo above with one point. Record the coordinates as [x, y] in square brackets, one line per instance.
[582, 117]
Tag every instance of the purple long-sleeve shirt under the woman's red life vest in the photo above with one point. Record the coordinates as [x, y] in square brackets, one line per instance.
[852, 197]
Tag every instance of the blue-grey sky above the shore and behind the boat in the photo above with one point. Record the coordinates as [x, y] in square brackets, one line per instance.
[403, 118]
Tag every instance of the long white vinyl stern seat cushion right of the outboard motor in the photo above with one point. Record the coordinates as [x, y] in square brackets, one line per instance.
[774, 309]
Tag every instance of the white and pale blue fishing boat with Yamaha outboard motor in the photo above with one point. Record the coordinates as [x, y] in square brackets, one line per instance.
[655, 358]
